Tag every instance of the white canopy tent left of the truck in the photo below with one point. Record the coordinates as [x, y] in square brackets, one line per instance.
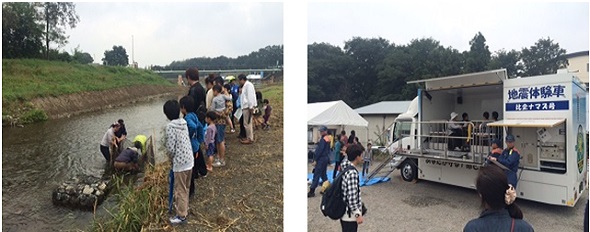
[334, 113]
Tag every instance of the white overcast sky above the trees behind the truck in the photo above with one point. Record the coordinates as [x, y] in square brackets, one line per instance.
[504, 25]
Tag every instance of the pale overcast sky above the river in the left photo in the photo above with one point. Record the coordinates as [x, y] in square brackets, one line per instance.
[166, 32]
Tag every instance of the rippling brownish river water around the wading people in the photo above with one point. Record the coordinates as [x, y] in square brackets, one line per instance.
[39, 157]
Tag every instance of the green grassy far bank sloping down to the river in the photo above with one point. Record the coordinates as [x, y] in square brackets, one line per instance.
[36, 90]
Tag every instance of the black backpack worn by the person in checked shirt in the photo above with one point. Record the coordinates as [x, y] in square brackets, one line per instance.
[333, 205]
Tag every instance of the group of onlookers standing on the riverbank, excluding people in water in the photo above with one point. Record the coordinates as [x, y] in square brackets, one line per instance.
[196, 142]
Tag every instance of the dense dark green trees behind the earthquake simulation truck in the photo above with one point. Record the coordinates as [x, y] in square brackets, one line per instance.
[370, 70]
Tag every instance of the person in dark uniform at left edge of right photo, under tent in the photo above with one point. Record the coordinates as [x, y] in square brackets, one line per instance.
[321, 160]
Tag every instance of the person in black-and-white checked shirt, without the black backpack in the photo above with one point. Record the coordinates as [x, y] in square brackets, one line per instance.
[351, 190]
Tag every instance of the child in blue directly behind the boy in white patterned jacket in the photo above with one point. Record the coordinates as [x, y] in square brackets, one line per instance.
[196, 135]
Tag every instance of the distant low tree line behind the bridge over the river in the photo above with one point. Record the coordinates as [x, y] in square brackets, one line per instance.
[269, 56]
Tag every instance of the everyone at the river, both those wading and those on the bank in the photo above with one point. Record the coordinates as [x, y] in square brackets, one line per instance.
[195, 140]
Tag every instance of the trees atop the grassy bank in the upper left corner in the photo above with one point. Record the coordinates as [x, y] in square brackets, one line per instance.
[36, 30]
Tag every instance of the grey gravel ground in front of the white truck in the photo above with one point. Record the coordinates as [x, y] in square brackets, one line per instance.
[429, 206]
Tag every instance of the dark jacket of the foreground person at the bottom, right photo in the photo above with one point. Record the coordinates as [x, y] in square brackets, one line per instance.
[496, 220]
